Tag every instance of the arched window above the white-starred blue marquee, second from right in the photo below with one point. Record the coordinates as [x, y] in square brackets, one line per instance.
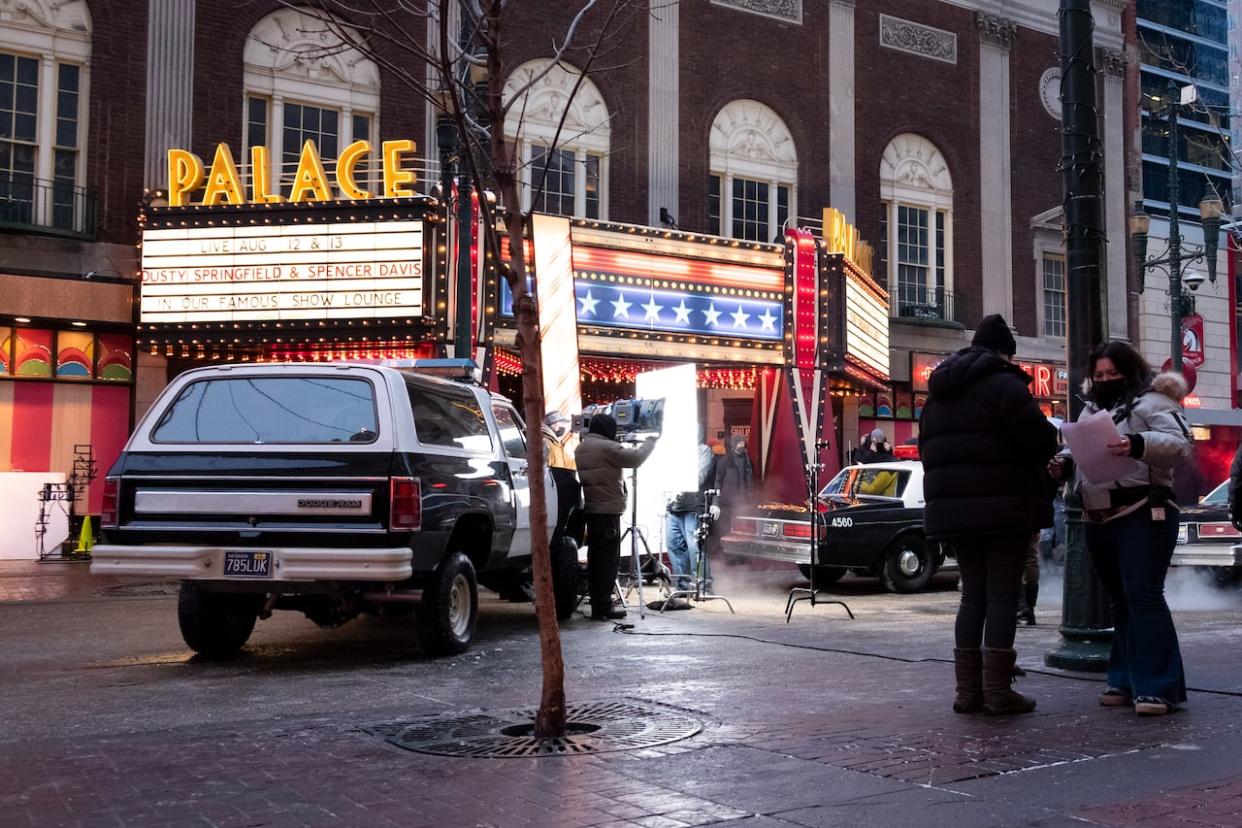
[753, 184]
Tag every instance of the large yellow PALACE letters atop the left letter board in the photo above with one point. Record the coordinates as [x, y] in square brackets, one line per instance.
[223, 183]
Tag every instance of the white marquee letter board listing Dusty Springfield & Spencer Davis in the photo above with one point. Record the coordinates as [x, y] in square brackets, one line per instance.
[332, 271]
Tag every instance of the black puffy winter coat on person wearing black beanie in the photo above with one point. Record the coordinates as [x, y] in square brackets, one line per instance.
[986, 448]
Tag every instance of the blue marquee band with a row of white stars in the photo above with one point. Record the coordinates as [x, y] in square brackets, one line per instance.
[673, 311]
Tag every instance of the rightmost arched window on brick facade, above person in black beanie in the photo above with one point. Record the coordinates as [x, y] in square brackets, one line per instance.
[916, 254]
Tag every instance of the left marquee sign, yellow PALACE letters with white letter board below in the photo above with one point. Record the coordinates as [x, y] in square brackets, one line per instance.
[347, 263]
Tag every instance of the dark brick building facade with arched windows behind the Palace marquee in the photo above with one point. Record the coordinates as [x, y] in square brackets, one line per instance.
[932, 126]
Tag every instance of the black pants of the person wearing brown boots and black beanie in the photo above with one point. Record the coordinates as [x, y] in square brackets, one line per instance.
[992, 574]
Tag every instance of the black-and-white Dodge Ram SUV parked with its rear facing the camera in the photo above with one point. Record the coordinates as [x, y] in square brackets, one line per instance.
[332, 490]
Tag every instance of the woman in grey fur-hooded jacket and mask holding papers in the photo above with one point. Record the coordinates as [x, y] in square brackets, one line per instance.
[1132, 526]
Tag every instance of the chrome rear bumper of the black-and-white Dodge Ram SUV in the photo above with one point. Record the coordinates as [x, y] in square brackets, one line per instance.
[289, 564]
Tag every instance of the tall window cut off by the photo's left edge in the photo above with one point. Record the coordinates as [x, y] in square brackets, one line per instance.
[45, 54]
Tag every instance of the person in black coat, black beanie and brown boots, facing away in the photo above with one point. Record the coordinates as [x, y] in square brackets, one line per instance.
[986, 446]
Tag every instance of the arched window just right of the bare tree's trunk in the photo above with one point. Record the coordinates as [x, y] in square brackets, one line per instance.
[577, 161]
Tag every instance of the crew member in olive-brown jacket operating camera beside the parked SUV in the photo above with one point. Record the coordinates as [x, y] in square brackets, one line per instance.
[601, 461]
